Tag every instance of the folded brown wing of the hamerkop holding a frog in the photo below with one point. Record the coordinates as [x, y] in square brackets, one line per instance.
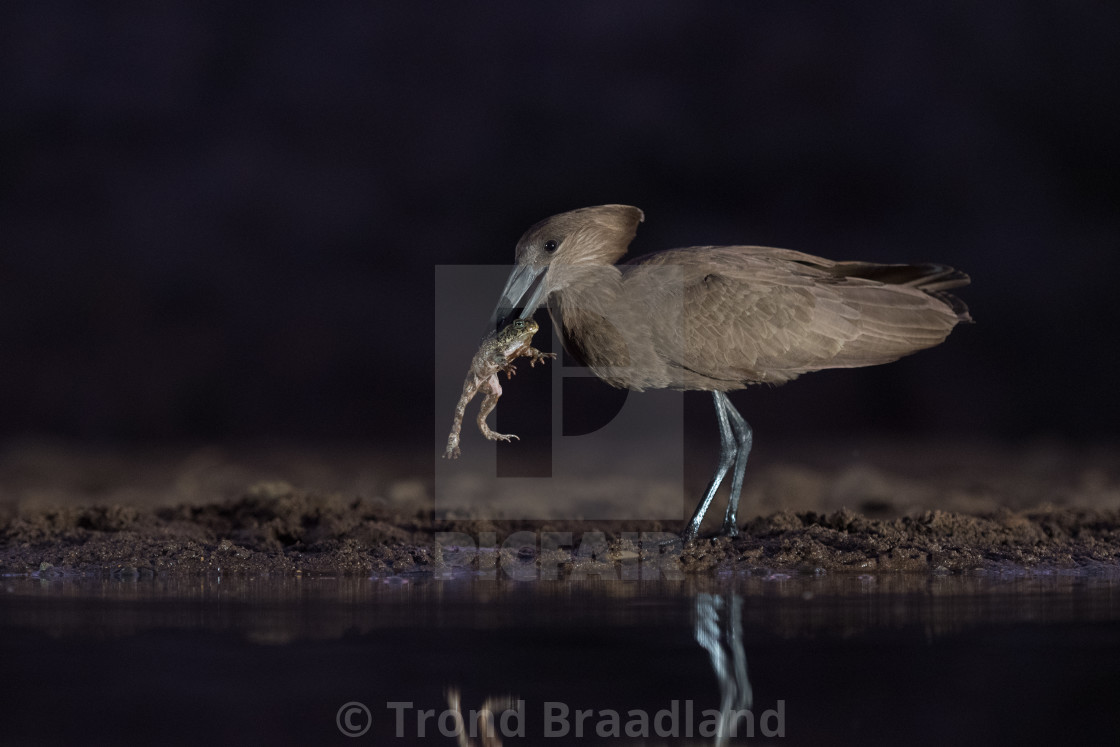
[754, 314]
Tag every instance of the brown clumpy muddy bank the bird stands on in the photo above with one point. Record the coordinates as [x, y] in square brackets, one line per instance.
[356, 511]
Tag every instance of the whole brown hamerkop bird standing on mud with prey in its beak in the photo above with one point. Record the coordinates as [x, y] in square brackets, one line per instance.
[720, 319]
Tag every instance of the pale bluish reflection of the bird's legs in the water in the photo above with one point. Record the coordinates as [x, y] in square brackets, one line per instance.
[720, 630]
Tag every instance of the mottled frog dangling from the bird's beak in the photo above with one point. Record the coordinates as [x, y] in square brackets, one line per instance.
[497, 354]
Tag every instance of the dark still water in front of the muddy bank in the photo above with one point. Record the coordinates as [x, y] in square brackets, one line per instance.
[839, 659]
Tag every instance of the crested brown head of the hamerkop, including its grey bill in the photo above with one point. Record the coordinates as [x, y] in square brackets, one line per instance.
[595, 237]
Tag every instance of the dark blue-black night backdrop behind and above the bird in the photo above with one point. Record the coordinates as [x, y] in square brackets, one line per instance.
[221, 221]
